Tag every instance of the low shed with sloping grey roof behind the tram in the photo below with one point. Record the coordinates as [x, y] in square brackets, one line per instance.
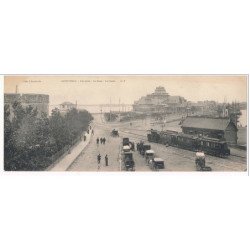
[220, 128]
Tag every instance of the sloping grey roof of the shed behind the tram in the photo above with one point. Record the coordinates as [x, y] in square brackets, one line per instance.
[206, 123]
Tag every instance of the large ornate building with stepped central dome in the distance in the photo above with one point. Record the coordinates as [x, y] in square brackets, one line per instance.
[160, 101]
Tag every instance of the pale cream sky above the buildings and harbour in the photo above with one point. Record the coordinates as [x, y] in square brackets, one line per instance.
[100, 89]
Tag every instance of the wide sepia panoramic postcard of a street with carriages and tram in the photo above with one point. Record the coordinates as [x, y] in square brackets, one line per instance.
[125, 123]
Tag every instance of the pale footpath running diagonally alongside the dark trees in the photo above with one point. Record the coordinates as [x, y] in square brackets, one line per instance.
[64, 163]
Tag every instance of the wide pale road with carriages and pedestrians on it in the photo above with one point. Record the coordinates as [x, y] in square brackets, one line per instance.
[175, 159]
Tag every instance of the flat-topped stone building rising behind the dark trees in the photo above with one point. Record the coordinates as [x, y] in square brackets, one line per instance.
[38, 101]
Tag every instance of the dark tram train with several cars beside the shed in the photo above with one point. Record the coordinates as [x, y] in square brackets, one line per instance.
[208, 145]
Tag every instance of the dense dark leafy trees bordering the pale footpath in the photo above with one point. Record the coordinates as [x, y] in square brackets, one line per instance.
[32, 141]
